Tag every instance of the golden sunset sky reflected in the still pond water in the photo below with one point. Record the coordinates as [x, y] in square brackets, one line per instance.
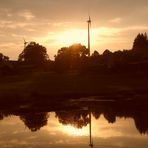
[123, 133]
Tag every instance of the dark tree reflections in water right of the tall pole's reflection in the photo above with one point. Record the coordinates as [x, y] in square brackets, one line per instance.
[112, 111]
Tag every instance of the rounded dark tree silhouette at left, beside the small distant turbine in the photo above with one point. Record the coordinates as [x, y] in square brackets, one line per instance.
[34, 54]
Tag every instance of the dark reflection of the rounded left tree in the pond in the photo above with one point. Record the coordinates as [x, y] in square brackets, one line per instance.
[35, 121]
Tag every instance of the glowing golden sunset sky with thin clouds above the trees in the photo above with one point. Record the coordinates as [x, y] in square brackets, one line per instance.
[58, 23]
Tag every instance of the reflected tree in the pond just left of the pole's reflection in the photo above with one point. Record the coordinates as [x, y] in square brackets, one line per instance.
[76, 119]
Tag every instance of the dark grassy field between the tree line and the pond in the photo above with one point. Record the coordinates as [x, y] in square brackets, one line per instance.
[53, 86]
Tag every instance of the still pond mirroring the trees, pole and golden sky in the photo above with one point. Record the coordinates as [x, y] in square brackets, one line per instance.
[80, 124]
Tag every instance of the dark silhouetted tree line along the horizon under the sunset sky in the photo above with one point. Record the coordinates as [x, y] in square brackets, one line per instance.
[76, 58]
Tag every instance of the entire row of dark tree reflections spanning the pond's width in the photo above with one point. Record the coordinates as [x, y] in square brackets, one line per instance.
[111, 110]
